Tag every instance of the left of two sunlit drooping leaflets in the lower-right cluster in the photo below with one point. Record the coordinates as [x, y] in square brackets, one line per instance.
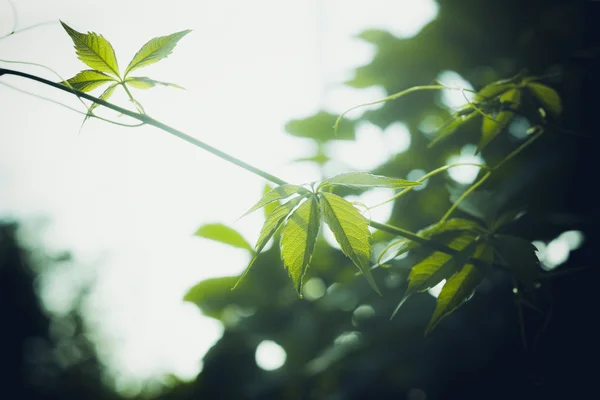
[437, 267]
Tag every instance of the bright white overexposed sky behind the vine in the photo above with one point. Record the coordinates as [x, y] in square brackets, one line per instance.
[126, 201]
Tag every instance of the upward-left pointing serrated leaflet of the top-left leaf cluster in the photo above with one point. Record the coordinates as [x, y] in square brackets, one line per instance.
[94, 51]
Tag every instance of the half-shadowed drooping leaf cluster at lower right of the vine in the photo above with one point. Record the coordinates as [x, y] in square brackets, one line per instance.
[477, 248]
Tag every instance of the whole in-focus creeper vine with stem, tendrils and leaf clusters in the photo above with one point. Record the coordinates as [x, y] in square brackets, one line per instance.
[460, 251]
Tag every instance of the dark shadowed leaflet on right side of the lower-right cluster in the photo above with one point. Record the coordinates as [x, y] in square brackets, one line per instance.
[519, 255]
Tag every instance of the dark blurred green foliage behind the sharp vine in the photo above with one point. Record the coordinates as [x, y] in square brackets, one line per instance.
[338, 340]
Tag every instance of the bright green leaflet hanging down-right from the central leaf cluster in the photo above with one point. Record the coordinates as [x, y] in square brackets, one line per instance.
[351, 230]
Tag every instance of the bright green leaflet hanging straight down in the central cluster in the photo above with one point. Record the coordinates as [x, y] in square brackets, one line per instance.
[298, 240]
